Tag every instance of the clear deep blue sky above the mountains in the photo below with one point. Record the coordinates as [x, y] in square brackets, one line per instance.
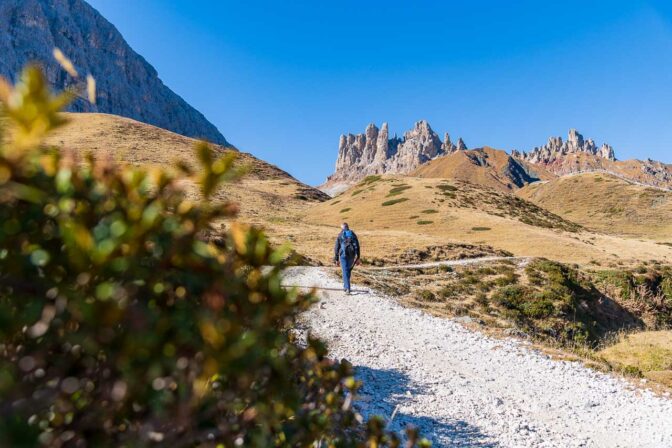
[284, 79]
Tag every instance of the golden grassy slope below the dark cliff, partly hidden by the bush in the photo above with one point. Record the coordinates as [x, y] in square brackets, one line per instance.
[264, 192]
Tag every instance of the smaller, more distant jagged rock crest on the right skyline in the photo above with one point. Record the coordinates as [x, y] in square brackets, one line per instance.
[557, 149]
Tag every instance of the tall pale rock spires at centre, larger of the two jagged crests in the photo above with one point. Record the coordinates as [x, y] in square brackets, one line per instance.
[374, 152]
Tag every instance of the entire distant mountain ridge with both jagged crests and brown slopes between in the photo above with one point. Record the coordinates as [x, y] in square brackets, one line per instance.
[422, 153]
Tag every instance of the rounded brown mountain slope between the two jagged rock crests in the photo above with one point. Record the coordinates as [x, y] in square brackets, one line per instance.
[483, 166]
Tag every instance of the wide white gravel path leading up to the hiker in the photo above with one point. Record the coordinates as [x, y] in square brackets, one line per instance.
[462, 388]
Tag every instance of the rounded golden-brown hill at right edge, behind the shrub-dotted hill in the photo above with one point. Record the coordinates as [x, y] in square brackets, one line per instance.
[606, 203]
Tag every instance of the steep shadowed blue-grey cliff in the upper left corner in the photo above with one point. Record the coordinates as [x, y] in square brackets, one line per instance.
[127, 85]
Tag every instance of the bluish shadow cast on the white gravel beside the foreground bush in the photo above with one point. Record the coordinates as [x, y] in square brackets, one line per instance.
[384, 390]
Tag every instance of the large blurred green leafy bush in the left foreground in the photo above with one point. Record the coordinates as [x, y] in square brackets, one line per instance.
[121, 325]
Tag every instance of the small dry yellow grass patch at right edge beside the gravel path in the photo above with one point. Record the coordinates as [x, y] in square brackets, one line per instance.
[649, 352]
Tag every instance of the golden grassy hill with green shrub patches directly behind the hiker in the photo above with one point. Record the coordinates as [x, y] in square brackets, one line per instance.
[395, 213]
